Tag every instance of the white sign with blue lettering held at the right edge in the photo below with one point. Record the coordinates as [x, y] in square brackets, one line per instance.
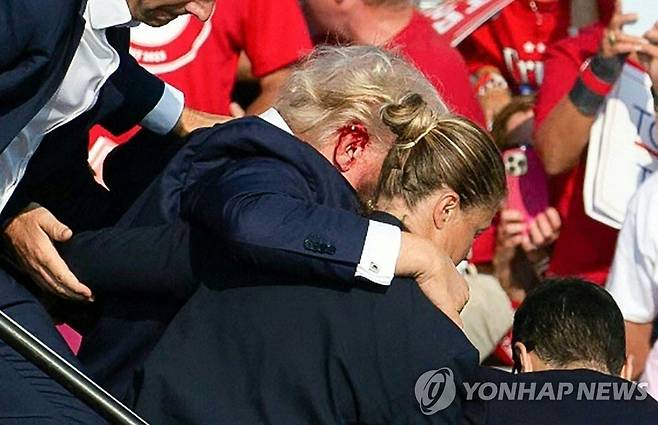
[623, 150]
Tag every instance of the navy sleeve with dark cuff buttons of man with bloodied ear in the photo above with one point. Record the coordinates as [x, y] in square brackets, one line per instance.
[266, 215]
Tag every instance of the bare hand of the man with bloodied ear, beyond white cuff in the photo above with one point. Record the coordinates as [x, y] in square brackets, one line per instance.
[435, 273]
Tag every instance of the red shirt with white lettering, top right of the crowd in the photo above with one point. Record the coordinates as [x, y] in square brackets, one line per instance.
[515, 41]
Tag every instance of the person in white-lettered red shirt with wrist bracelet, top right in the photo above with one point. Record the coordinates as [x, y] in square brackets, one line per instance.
[506, 55]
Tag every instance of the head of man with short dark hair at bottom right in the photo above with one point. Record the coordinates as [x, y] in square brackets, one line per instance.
[568, 324]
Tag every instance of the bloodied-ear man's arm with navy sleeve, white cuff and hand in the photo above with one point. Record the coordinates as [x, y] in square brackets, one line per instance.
[265, 215]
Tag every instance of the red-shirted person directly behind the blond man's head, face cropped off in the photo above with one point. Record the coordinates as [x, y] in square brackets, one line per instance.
[397, 25]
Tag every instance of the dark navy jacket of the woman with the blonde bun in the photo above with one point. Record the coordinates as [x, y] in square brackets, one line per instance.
[277, 349]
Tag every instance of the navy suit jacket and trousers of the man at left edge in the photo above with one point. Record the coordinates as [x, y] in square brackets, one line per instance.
[38, 40]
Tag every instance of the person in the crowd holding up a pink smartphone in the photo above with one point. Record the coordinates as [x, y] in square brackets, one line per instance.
[510, 256]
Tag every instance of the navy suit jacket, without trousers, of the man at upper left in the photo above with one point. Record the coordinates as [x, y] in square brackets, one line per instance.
[37, 43]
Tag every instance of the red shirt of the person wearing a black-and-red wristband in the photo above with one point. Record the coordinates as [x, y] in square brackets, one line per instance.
[585, 247]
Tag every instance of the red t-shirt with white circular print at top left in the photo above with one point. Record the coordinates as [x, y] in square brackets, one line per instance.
[200, 58]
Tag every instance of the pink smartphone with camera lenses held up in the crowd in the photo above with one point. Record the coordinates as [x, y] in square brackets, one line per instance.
[527, 184]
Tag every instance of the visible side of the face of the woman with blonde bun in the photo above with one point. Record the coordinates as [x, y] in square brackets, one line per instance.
[457, 233]
